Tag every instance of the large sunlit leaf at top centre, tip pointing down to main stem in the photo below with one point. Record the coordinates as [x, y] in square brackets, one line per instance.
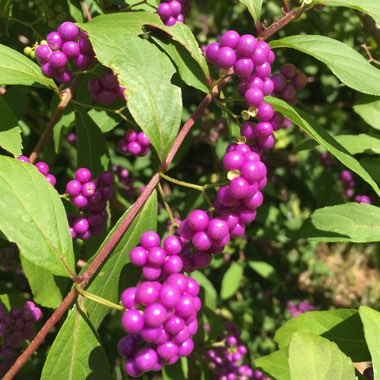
[146, 73]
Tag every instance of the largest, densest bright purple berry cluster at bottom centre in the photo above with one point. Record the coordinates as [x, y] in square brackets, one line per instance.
[160, 319]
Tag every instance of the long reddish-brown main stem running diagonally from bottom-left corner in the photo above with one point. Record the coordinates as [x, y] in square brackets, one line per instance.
[108, 247]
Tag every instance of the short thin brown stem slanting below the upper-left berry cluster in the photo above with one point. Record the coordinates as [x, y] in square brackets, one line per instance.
[65, 100]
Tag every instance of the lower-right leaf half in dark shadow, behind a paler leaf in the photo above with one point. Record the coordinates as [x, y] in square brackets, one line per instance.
[342, 326]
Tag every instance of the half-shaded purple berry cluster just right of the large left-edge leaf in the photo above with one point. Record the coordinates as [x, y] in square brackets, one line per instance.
[90, 196]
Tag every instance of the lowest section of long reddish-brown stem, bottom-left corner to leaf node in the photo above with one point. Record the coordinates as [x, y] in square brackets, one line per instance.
[39, 338]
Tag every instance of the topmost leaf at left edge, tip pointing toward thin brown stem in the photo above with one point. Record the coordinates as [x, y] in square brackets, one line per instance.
[16, 68]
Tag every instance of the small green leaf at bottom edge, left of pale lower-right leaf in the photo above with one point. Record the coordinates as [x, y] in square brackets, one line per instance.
[275, 365]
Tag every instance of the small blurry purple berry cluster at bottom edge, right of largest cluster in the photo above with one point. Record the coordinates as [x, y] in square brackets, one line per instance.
[227, 362]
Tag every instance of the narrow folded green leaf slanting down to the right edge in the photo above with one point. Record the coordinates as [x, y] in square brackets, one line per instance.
[319, 134]
